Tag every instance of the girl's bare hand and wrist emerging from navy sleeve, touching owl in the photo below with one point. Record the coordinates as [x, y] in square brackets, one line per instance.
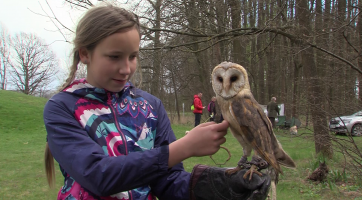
[205, 139]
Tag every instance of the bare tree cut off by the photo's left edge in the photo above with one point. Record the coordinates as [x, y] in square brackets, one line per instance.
[4, 55]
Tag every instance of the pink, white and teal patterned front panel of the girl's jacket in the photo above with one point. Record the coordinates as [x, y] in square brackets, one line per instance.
[120, 123]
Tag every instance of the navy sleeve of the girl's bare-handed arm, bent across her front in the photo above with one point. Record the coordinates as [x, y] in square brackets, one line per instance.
[85, 161]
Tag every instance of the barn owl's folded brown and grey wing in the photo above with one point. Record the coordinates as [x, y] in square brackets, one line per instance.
[256, 128]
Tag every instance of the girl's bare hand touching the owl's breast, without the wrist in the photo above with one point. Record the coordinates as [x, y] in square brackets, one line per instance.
[205, 139]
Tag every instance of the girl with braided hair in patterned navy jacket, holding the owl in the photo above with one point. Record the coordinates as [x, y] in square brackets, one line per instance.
[114, 141]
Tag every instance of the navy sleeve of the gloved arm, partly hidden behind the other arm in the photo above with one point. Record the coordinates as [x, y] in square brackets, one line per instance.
[175, 183]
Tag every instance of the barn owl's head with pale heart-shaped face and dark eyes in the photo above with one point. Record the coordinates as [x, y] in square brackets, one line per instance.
[228, 79]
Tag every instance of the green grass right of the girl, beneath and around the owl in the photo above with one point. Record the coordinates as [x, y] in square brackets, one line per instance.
[293, 184]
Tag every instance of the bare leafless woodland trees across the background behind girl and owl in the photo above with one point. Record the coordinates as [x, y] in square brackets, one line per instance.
[307, 53]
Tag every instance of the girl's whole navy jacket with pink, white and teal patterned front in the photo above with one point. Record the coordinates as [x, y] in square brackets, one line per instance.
[112, 145]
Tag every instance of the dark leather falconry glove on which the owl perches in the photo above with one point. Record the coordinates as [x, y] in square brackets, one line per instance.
[212, 183]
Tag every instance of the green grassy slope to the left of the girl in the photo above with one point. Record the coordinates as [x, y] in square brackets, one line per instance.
[22, 142]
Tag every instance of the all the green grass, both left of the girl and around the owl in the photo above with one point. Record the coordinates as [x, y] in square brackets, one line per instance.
[23, 139]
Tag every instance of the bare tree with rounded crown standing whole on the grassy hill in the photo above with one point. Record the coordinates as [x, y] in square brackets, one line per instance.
[32, 64]
